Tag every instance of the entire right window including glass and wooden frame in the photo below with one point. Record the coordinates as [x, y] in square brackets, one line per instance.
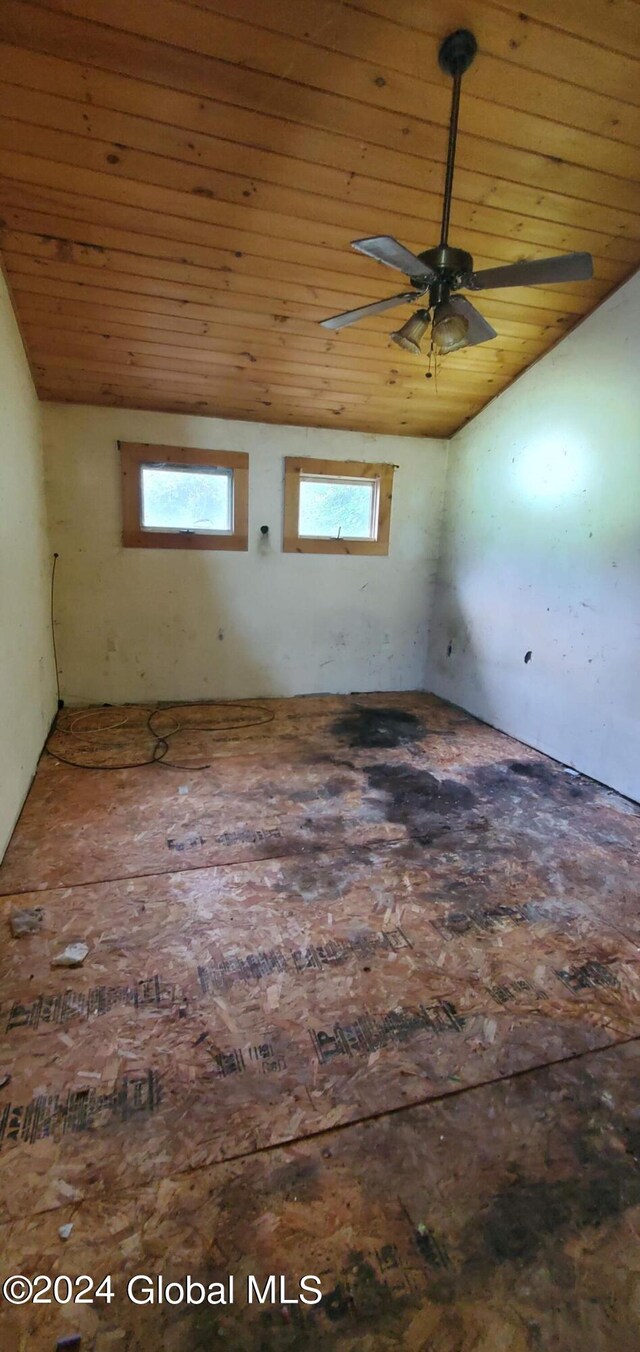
[336, 508]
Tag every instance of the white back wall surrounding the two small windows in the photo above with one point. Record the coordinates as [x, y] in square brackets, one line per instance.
[145, 624]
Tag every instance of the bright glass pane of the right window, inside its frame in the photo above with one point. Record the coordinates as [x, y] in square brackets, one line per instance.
[339, 509]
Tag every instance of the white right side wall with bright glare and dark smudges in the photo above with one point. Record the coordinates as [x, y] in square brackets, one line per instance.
[542, 554]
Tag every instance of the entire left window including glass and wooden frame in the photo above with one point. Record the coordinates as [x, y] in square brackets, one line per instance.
[177, 498]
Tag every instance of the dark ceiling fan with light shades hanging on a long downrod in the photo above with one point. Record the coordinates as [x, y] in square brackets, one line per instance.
[443, 272]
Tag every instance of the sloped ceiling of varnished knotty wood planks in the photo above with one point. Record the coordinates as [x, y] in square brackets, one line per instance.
[182, 180]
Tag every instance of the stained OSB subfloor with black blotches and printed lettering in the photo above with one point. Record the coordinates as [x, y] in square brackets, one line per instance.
[362, 1001]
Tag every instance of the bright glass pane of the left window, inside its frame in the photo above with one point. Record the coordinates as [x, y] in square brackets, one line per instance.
[187, 500]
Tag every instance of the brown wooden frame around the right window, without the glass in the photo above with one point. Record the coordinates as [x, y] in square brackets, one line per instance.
[296, 544]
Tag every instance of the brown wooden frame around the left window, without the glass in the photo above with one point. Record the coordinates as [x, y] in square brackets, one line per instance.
[136, 455]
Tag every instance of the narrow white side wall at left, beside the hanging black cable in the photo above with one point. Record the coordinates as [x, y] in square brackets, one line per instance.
[28, 683]
